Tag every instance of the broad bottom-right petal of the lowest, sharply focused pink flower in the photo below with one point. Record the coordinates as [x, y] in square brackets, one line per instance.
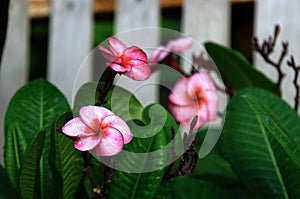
[111, 144]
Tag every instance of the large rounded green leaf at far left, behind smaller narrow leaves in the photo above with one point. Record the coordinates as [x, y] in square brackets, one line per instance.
[35, 106]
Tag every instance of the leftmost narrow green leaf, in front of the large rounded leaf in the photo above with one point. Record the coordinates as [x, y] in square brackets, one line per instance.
[15, 146]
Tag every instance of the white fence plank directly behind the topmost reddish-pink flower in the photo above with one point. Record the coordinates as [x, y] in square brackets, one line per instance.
[130, 15]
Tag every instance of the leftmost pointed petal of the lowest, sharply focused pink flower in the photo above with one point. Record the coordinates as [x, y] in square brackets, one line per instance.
[76, 127]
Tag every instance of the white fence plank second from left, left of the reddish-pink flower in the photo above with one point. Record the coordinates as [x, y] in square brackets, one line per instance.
[69, 44]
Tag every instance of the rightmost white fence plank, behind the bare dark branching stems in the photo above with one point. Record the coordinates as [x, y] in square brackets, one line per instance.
[269, 13]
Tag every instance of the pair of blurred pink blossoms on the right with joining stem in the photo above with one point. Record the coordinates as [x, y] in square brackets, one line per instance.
[193, 95]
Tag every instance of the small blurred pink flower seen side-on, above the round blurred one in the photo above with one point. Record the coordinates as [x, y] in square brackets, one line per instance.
[173, 46]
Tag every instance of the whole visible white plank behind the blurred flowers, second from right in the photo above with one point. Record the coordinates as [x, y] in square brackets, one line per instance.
[206, 20]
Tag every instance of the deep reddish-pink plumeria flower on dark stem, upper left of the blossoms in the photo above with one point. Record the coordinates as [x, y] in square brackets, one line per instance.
[130, 61]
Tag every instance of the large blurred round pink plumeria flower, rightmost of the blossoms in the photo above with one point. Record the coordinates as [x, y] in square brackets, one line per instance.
[194, 96]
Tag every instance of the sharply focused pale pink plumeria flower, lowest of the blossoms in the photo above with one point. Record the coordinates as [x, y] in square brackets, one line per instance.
[98, 130]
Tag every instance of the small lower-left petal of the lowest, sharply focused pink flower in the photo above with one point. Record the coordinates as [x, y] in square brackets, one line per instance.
[87, 143]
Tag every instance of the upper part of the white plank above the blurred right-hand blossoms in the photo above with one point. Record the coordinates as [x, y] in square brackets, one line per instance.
[203, 20]
